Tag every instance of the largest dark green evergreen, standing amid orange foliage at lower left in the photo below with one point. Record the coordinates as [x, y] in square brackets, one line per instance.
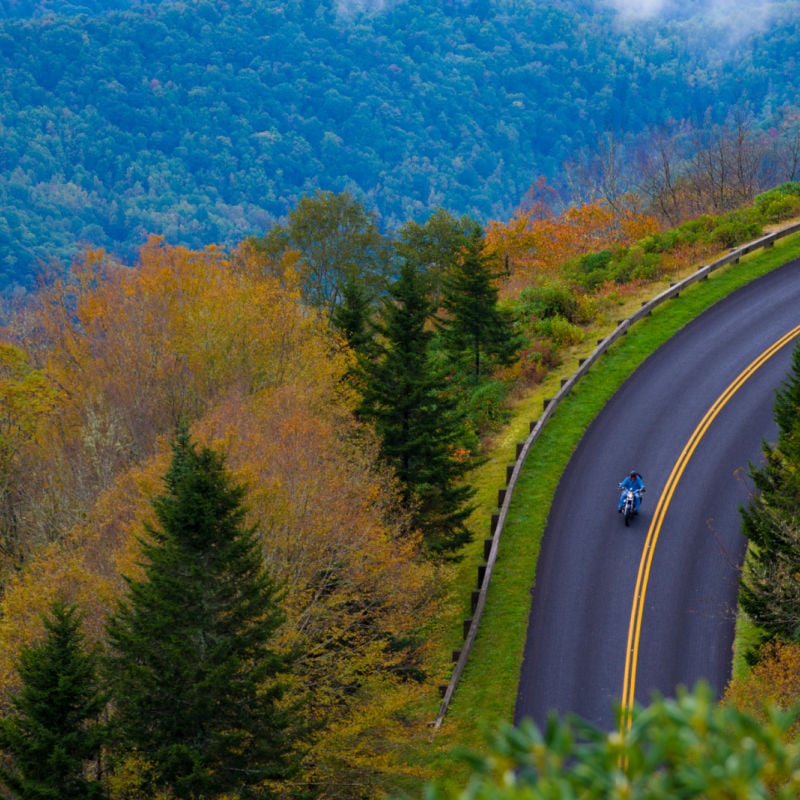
[196, 685]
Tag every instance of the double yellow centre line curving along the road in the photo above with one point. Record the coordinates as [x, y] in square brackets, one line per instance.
[637, 610]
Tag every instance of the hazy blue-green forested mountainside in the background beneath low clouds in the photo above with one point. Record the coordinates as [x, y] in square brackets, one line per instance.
[205, 121]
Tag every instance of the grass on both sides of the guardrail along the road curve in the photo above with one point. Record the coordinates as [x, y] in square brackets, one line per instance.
[486, 692]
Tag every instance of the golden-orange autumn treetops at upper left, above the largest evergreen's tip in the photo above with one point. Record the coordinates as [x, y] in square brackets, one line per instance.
[133, 351]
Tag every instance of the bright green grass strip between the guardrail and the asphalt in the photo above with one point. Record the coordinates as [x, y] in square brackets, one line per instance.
[487, 691]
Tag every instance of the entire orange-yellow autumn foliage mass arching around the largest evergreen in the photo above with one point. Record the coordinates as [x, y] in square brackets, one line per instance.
[209, 338]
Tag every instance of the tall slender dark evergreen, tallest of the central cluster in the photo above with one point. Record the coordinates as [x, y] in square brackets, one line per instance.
[416, 418]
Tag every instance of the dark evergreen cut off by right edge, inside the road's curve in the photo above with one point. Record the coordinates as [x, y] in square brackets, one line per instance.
[769, 590]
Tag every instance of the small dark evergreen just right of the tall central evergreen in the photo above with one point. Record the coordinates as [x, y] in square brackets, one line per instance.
[474, 326]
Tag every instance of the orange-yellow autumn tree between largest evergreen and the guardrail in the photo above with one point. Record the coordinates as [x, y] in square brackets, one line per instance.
[353, 584]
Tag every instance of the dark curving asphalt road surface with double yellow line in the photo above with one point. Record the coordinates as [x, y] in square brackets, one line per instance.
[619, 613]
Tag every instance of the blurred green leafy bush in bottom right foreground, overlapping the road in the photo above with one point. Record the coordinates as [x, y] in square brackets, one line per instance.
[689, 747]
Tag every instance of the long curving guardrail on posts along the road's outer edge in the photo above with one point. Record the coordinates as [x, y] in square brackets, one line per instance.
[504, 495]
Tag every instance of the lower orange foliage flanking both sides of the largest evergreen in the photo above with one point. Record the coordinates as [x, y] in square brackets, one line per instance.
[325, 514]
